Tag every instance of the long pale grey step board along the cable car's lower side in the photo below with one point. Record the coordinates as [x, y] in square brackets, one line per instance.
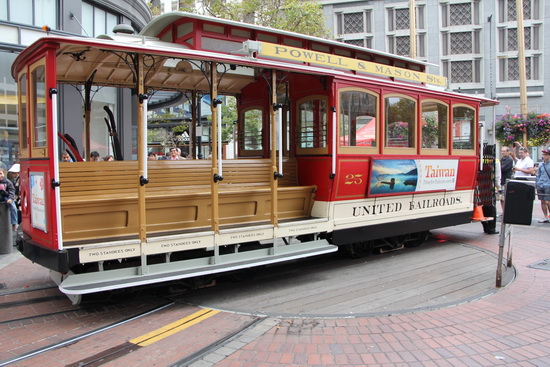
[77, 284]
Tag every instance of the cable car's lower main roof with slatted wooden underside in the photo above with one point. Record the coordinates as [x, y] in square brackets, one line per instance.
[176, 67]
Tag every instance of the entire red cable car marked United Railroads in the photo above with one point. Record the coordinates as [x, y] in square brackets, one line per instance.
[336, 145]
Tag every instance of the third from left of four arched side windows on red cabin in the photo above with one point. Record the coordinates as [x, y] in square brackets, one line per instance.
[435, 117]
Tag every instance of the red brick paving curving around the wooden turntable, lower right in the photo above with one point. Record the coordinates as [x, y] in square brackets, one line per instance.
[511, 327]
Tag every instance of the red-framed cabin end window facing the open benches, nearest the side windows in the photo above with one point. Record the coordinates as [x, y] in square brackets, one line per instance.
[312, 124]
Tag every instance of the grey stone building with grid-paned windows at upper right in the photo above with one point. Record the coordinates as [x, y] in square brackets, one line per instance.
[473, 43]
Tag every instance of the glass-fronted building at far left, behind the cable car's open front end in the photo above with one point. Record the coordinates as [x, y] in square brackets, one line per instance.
[21, 23]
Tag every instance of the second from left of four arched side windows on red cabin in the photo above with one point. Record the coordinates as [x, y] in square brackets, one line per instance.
[400, 122]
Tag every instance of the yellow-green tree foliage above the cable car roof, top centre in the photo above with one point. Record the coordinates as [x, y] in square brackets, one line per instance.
[300, 16]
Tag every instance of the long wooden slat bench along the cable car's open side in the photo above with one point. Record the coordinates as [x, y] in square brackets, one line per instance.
[99, 199]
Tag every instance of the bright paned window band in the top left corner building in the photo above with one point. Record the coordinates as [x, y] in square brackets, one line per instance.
[33, 12]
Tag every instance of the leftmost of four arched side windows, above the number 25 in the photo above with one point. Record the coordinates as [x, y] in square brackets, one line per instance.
[358, 119]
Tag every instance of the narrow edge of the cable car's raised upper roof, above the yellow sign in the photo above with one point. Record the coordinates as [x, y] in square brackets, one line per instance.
[162, 21]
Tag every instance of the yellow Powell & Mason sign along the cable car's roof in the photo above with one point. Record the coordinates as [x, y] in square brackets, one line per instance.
[301, 55]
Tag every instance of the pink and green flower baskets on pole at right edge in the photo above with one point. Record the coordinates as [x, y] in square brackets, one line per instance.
[510, 128]
